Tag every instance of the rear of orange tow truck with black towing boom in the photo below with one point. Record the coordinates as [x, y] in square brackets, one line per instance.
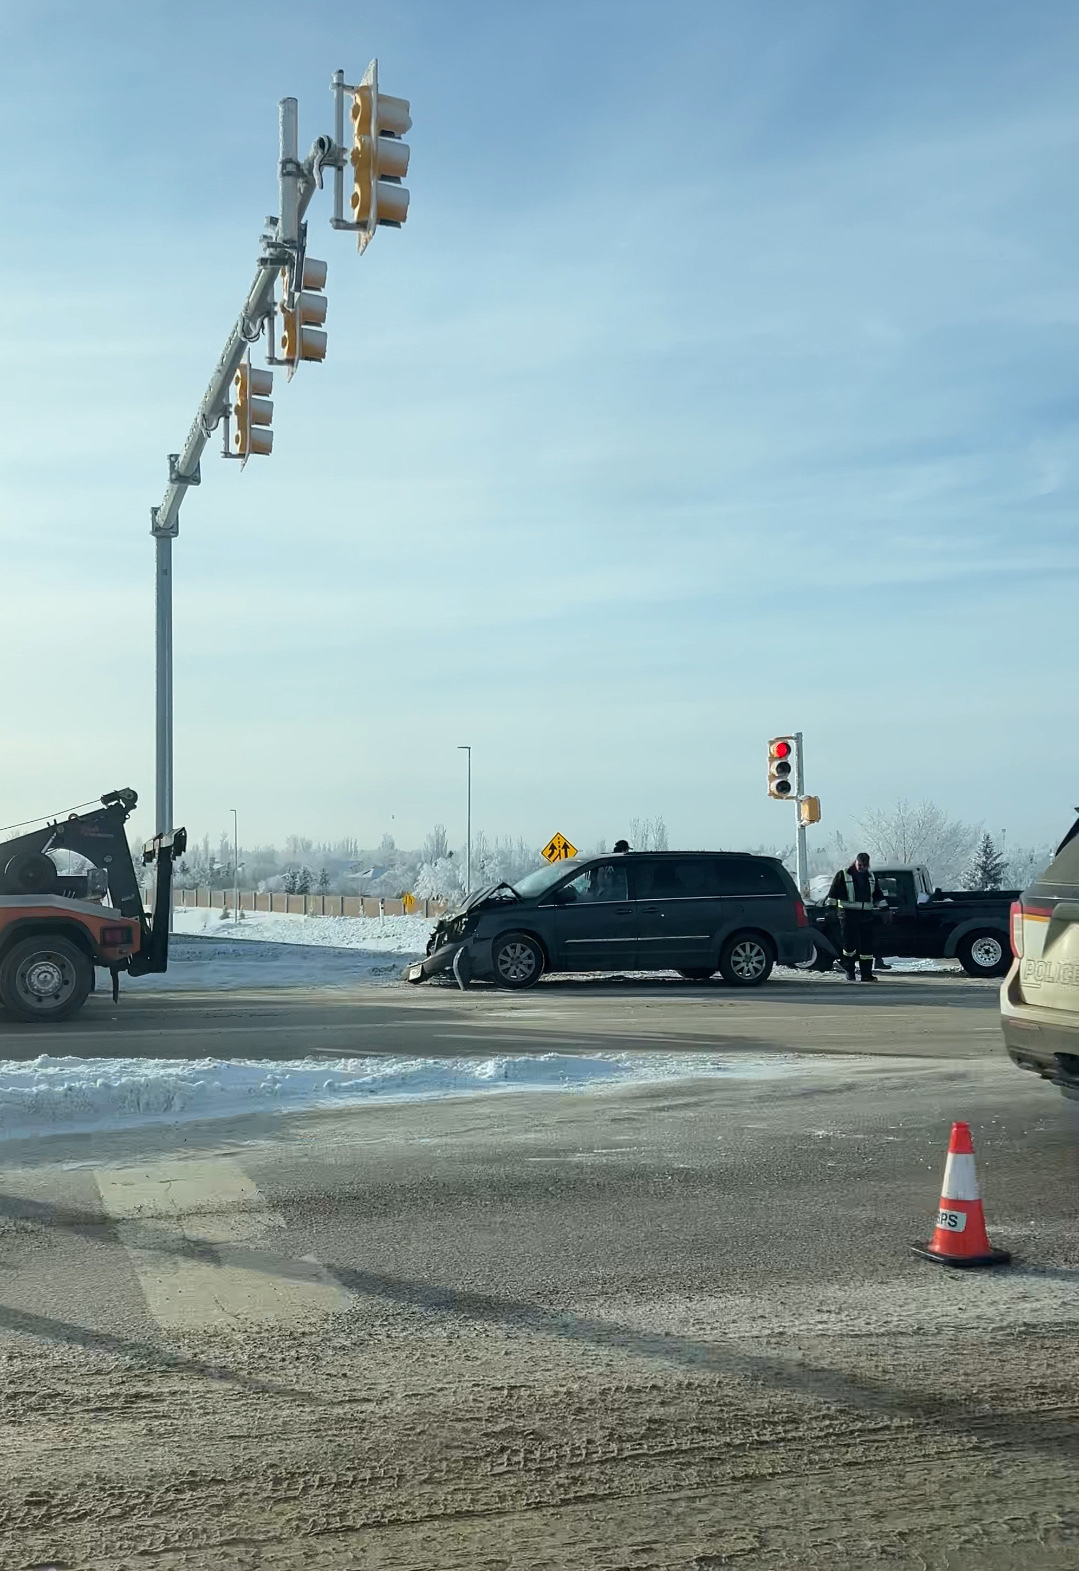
[57, 926]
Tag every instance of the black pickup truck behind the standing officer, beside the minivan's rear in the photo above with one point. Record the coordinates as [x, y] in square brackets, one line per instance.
[929, 925]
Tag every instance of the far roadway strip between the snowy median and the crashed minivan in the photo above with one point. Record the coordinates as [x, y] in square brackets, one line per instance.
[910, 1016]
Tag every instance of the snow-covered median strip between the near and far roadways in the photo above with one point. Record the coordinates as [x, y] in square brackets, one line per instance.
[76, 1096]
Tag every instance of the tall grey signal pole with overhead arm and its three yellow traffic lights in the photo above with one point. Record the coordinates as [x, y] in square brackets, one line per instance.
[283, 255]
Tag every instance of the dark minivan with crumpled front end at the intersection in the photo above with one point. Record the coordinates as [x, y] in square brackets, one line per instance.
[689, 912]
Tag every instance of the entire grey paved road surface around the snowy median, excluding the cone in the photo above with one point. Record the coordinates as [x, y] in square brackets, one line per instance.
[668, 1328]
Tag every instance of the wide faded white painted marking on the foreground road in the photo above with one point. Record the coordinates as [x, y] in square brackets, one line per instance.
[196, 1232]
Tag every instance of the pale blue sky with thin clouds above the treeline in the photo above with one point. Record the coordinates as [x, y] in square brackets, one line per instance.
[723, 383]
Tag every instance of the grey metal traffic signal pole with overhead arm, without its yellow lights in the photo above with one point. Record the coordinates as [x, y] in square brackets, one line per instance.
[280, 249]
